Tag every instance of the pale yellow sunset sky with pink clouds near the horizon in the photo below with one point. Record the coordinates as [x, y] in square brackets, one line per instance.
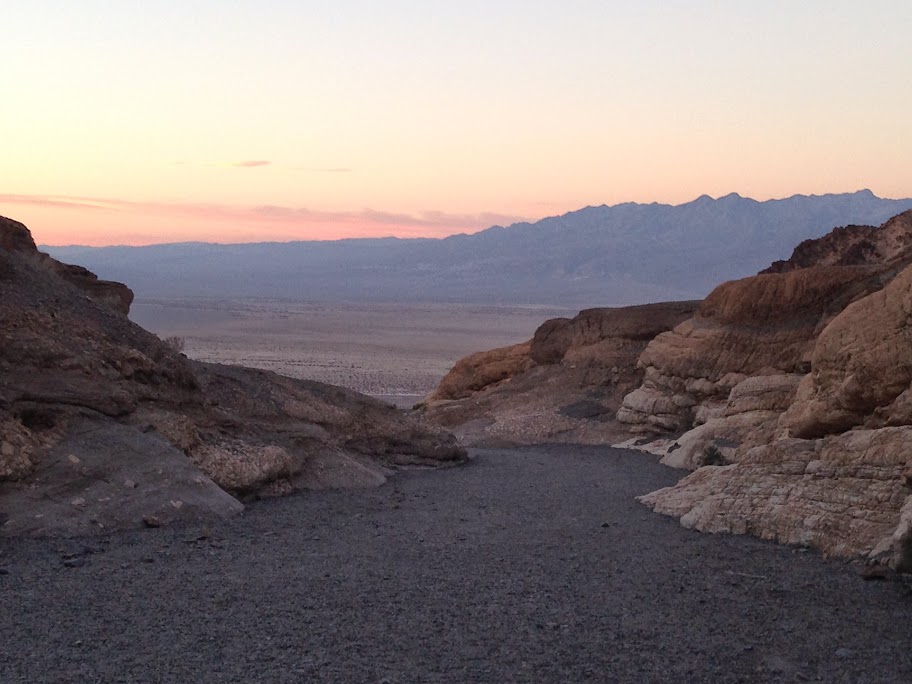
[136, 122]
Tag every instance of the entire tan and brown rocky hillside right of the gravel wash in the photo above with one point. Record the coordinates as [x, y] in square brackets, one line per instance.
[789, 393]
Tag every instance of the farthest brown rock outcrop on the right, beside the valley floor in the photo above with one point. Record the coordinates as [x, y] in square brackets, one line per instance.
[564, 385]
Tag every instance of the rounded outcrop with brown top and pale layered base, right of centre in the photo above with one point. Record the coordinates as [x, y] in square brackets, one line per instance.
[764, 325]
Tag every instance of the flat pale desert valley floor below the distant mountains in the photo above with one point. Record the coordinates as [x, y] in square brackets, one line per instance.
[399, 351]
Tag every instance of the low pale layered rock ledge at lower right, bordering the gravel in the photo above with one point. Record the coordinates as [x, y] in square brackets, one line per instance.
[842, 494]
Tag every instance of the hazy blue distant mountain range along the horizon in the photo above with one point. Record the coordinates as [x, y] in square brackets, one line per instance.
[598, 256]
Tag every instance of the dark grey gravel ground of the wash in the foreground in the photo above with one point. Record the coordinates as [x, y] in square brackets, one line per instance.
[532, 565]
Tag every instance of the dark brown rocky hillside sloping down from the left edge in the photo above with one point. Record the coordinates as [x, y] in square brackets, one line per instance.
[103, 425]
